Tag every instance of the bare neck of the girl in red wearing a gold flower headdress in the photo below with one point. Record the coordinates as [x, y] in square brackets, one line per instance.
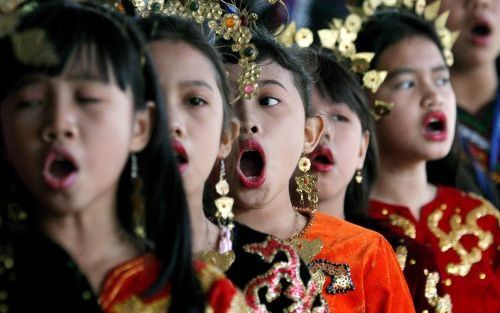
[403, 184]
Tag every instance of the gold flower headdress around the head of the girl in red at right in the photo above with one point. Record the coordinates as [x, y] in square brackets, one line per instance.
[340, 37]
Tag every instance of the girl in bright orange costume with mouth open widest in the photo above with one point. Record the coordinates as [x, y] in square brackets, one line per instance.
[356, 267]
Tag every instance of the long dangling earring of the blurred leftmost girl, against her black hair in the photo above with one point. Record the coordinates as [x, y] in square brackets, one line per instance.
[137, 199]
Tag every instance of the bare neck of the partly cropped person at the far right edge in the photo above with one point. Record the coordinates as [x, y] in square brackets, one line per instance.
[475, 87]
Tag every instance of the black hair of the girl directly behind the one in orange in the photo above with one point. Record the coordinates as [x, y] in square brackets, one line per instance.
[336, 83]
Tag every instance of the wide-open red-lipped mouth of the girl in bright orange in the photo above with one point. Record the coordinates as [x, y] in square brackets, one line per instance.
[251, 164]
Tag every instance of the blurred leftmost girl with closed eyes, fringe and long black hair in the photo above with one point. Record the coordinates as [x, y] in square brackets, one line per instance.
[80, 116]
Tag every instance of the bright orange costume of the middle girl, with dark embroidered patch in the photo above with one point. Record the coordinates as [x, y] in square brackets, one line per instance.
[357, 266]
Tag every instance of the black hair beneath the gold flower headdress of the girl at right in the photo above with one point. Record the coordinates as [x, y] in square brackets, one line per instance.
[388, 27]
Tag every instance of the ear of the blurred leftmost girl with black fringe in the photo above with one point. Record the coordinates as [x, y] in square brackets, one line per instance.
[143, 124]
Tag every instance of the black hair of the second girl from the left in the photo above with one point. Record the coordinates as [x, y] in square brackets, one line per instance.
[176, 29]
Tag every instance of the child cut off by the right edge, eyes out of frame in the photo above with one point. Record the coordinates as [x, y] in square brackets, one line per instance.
[474, 77]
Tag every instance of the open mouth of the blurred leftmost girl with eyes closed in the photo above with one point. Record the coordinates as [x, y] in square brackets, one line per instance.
[60, 170]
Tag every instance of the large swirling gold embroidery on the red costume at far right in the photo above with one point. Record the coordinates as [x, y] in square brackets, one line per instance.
[458, 230]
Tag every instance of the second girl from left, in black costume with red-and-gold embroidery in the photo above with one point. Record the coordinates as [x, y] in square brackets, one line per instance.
[193, 80]
